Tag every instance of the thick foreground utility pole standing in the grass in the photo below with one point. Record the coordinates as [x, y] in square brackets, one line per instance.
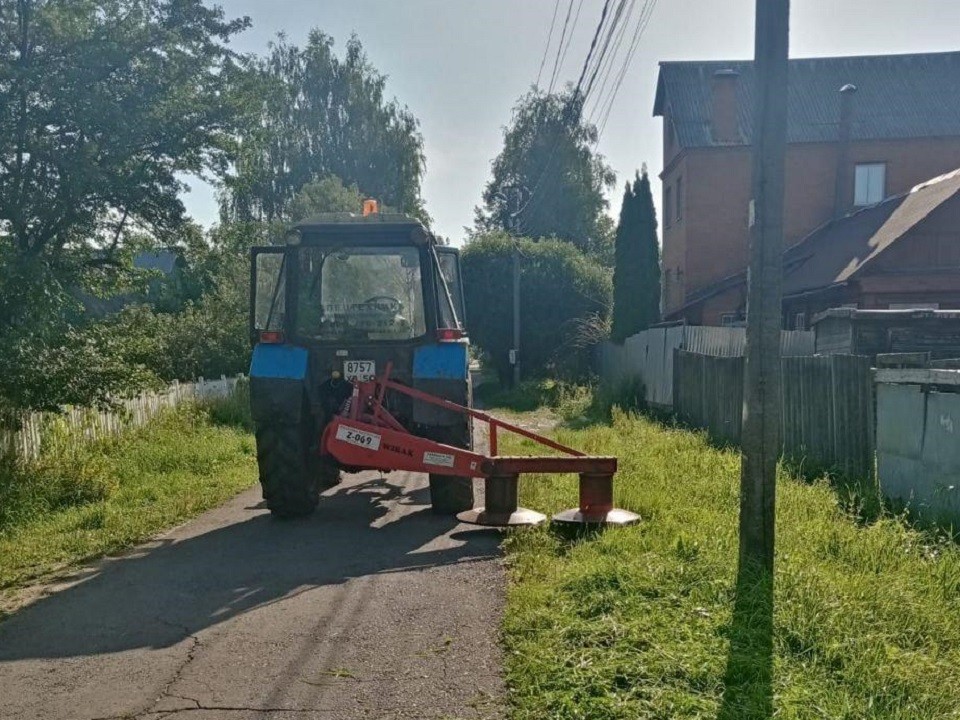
[761, 397]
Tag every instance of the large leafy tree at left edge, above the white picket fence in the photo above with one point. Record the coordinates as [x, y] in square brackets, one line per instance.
[105, 103]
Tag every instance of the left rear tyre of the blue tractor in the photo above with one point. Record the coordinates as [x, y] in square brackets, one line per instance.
[289, 472]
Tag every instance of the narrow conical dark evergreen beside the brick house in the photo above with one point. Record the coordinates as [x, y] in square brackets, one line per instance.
[636, 273]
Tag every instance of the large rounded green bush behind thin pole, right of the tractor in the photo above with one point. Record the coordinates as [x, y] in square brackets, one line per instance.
[561, 290]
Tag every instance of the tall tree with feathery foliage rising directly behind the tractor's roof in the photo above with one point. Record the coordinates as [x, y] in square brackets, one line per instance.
[322, 115]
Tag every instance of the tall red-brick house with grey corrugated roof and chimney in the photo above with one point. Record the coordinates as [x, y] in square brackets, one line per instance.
[860, 130]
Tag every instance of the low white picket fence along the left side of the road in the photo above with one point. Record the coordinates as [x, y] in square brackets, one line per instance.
[82, 424]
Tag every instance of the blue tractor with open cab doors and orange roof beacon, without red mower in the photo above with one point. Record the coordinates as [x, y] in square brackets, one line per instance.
[345, 297]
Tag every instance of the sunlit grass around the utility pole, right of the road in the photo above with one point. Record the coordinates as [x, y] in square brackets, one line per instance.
[646, 622]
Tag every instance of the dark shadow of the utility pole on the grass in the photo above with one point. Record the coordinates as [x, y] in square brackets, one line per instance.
[748, 681]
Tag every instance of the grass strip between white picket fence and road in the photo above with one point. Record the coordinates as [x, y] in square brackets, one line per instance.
[76, 504]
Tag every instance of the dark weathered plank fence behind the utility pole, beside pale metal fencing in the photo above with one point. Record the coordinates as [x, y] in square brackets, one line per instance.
[827, 416]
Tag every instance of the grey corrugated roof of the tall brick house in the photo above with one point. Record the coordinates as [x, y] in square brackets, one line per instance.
[898, 96]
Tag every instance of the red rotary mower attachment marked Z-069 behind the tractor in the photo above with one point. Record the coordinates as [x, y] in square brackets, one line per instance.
[365, 435]
